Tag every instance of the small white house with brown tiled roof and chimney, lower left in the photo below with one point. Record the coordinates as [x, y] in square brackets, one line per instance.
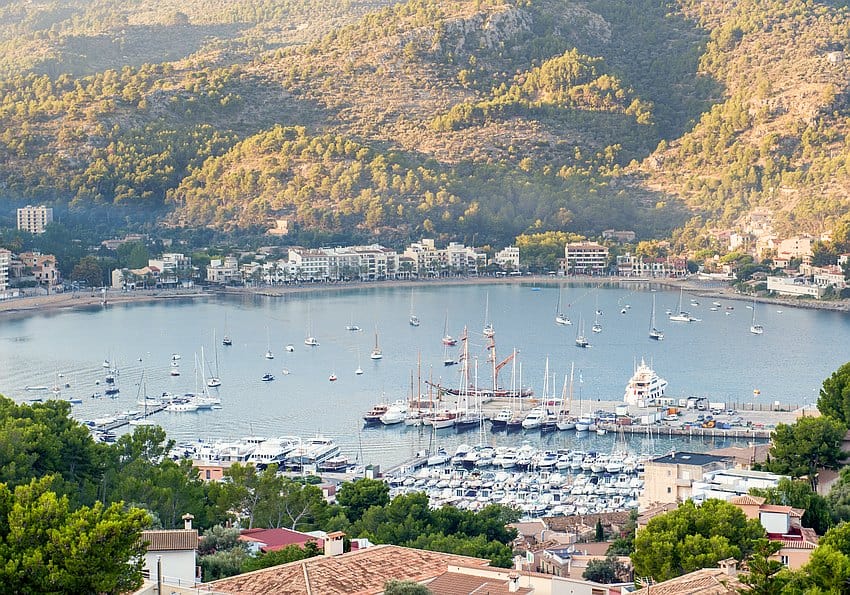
[173, 552]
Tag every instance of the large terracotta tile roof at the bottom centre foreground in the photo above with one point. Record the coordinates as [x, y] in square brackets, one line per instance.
[356, 573]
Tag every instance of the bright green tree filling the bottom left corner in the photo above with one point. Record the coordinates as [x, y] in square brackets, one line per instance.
[46, 547]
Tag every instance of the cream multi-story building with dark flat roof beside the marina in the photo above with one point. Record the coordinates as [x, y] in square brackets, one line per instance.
[671, 478]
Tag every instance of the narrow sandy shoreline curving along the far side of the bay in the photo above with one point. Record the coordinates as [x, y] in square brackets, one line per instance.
[58, 301]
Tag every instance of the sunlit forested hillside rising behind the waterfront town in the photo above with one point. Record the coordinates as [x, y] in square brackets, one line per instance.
[452, 118]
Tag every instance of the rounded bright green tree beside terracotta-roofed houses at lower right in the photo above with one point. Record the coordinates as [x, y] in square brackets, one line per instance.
[691, 537]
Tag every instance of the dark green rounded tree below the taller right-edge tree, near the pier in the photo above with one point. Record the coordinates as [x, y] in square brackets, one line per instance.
[801, 448]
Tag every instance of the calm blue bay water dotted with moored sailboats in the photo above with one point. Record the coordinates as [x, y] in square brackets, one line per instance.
[717, 357]
